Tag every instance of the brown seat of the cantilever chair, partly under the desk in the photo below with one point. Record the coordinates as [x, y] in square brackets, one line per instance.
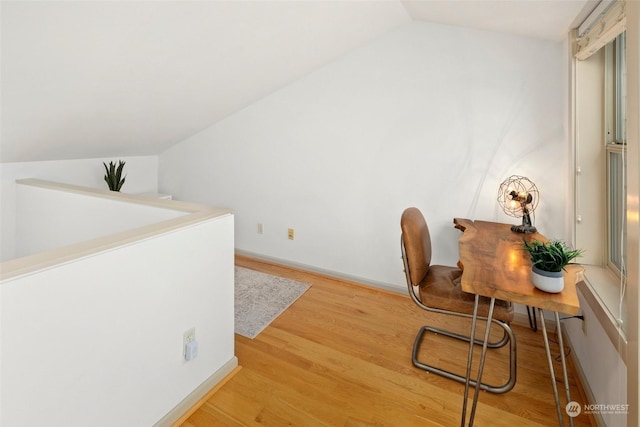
[442, 289]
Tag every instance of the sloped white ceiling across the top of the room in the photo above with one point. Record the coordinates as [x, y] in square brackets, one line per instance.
[85, 79]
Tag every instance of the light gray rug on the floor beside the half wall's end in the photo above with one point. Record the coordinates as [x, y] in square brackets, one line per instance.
[260, 298]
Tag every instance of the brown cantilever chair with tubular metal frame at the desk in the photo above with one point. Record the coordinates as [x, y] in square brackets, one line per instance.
[437, 288]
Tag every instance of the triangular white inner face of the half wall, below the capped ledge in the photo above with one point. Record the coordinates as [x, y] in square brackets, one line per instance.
[47, 219]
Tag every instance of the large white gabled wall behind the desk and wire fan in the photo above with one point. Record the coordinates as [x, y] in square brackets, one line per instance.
[427, 115]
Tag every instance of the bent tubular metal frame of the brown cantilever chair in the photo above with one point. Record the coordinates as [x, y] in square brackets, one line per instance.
[507, 336]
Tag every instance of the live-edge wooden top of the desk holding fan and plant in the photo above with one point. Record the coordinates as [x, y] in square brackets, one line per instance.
[495, 265]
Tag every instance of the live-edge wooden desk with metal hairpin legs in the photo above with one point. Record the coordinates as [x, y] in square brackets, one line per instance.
[496, 266]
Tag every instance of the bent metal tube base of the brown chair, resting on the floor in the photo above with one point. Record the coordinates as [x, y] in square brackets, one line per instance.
[508, 336]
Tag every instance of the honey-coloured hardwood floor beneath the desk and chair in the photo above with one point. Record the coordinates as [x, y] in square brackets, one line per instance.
[341, 356]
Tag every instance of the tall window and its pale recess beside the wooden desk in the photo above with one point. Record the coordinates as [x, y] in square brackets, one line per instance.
[600, 185]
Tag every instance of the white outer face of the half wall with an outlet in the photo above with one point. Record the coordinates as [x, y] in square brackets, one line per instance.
[99, 341]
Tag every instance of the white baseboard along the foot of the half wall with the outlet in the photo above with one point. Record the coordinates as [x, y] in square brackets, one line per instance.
[201, 394]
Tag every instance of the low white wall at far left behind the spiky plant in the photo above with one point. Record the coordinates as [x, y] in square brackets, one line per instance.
[142, 176]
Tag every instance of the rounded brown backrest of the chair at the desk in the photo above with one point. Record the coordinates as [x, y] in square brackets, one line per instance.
[417, 244]
